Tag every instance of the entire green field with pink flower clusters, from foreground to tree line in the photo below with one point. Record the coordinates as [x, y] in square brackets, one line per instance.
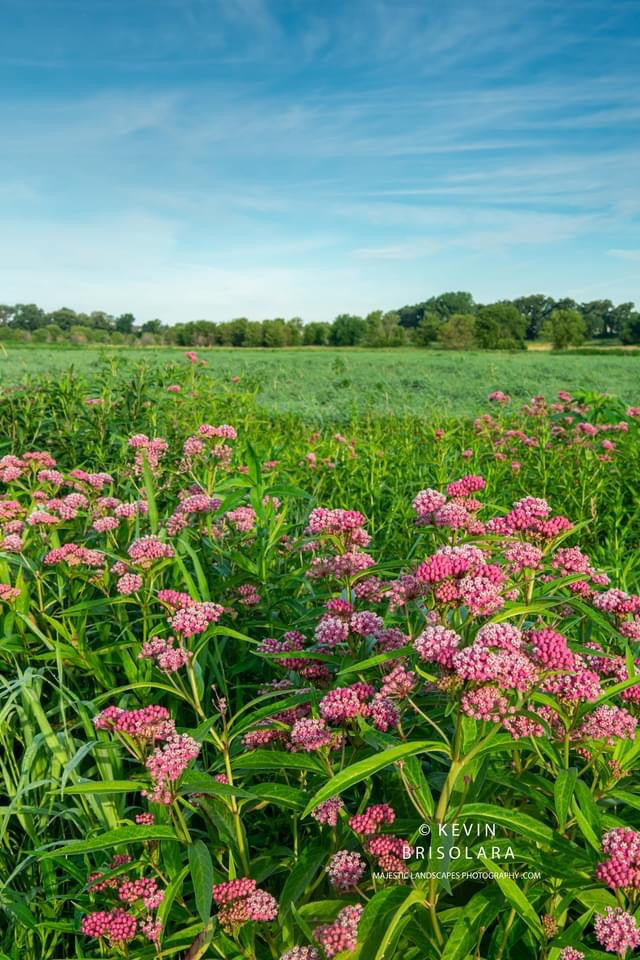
[256, 634]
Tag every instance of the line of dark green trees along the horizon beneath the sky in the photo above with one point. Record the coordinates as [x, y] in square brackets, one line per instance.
[450, 320]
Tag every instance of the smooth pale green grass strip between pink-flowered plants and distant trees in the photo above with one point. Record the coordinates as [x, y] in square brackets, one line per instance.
[330, 384]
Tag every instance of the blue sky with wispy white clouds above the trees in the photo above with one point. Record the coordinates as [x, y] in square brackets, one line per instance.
[217, 158]
